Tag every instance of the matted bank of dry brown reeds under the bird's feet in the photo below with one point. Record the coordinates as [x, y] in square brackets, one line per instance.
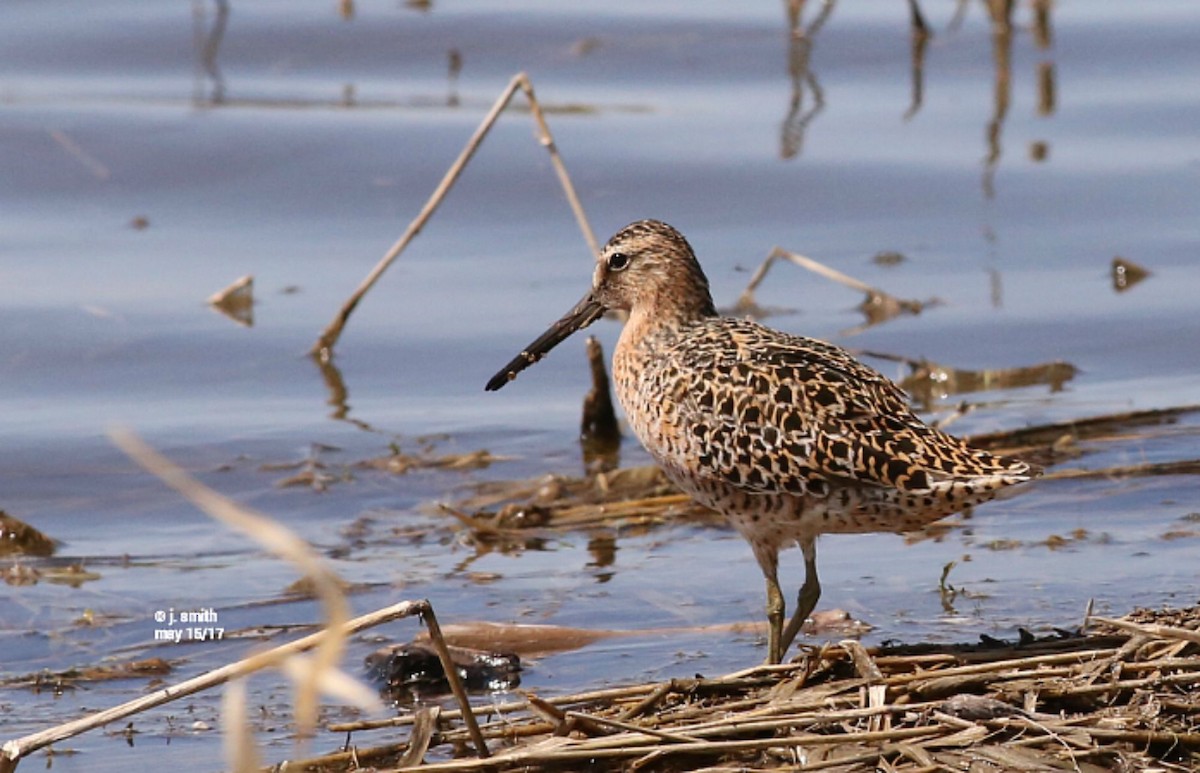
[815, 714]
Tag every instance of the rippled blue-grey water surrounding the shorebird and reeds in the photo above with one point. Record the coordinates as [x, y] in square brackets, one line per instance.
[152, 155]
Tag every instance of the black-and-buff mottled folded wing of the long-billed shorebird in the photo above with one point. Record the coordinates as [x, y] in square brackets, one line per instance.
[781, 414]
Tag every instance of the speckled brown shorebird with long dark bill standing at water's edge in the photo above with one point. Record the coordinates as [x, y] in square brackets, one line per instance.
[789, 438]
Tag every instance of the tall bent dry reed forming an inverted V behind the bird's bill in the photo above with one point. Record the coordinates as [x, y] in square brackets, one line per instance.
[323, 350]
